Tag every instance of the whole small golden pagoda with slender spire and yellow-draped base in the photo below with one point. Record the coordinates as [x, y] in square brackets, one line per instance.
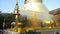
[16, 24]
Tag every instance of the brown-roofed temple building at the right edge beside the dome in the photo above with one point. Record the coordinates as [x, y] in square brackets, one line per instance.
[56, 16]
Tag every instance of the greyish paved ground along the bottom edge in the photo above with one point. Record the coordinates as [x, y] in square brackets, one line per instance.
[42, 31]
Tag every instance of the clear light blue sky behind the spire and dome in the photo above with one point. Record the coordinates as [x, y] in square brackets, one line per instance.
[7, 6]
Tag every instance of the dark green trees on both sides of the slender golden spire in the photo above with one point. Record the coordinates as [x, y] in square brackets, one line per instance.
[9, 18]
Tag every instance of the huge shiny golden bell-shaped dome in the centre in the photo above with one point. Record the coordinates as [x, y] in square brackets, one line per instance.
[36, 12]
